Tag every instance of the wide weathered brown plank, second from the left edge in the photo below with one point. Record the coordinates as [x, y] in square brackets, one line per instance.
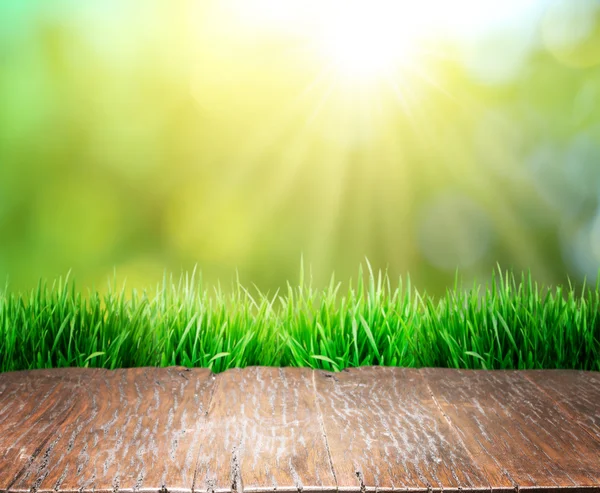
[132, 430]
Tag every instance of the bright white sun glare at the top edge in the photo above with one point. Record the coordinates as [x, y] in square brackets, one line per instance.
[359, 40]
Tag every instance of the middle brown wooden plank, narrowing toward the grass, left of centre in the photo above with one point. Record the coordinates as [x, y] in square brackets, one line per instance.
[262, 435]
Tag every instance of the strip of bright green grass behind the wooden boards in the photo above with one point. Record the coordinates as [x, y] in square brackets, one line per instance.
[510, 323]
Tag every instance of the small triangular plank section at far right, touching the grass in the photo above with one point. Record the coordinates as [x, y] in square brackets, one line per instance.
[576, 393]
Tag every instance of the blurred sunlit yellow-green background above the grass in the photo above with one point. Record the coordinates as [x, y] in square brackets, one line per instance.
[144, 135]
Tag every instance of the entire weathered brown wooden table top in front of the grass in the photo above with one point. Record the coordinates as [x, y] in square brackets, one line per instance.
[291, 430]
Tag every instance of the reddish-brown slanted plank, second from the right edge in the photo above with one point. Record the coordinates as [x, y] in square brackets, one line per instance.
[507, 423]
